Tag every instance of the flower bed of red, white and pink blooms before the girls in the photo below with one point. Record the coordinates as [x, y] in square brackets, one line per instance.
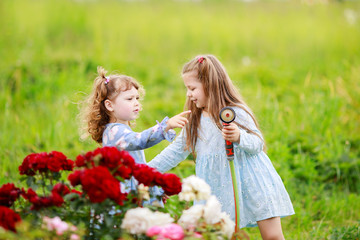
[86, 199]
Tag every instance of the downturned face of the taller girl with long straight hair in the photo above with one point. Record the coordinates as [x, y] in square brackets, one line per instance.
[195, 90]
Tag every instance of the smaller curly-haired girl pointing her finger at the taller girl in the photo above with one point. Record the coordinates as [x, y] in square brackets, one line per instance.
[113, 104]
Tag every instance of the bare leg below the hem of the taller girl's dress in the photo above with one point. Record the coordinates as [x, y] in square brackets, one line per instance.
[270, 229]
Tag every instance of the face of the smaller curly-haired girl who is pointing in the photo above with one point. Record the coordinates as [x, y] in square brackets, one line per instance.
[125, 107]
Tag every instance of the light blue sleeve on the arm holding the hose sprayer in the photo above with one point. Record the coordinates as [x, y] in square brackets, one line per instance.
[249, 142]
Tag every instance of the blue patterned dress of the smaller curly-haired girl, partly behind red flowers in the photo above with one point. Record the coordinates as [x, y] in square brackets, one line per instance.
[122, 137]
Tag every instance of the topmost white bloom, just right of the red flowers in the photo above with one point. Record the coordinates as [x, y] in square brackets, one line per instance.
[194, 188]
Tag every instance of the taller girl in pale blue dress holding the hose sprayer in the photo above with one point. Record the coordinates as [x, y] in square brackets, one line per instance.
[262, 195]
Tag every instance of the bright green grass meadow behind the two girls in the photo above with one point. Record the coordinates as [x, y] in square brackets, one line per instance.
[303, 83]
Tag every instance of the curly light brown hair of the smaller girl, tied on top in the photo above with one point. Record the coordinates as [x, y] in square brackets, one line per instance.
[94, 113]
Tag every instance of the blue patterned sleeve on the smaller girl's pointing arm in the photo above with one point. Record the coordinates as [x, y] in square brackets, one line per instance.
[121, 136]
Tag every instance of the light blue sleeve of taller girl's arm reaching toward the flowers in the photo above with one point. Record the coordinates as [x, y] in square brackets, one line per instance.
[171, 156]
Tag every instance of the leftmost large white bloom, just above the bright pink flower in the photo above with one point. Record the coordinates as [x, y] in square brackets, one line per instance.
[136, 220]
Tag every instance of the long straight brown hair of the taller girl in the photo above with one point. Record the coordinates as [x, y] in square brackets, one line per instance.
[220, 92]
